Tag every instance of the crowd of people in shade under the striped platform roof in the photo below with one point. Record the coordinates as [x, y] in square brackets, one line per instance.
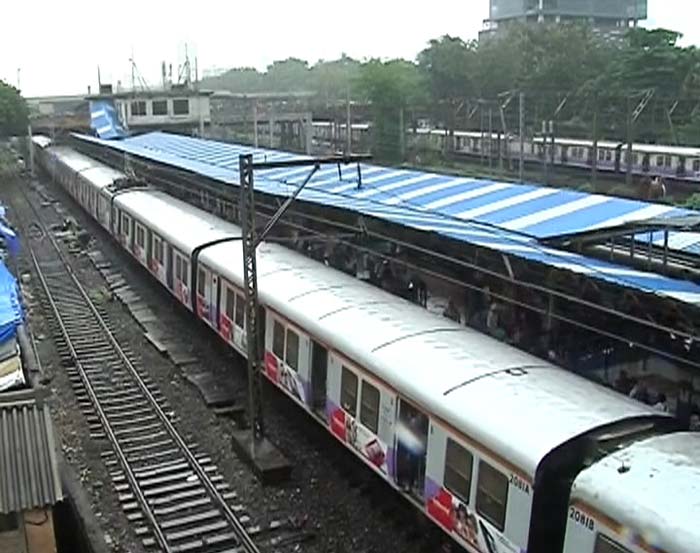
[523, 318]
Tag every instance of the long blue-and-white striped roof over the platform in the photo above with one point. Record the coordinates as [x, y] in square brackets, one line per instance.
[505, 217]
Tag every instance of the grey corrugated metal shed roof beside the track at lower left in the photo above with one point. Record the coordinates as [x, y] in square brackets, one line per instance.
[28, 467]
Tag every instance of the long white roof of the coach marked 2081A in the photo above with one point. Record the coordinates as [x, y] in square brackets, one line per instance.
[512, 403]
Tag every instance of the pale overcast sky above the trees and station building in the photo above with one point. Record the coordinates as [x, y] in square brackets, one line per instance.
[58, 45]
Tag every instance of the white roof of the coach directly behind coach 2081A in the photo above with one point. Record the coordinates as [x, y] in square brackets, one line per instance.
[179, 223]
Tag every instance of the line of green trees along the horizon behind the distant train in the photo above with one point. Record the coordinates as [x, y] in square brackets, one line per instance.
[568, 74]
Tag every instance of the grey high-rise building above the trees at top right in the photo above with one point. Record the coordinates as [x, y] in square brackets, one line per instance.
[604, 15]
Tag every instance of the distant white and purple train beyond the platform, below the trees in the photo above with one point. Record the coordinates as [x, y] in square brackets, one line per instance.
[681, 163]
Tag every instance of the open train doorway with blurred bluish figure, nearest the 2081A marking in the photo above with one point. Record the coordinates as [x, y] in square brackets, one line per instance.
[411, 449]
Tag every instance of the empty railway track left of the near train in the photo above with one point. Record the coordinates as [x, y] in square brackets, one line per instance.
[170, 492]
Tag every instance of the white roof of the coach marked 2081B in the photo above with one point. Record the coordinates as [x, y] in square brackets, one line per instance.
[651, 487]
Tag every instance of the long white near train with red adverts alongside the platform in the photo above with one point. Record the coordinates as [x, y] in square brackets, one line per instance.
[504, 452]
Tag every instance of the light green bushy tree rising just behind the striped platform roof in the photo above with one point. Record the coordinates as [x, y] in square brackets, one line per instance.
[390, 87]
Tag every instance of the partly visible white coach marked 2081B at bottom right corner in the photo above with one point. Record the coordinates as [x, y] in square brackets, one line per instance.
[644, 498]
